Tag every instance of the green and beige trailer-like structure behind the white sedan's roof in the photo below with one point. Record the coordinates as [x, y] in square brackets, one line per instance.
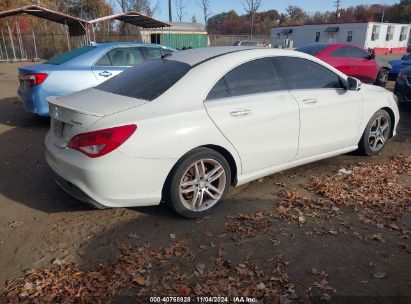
[181, 35]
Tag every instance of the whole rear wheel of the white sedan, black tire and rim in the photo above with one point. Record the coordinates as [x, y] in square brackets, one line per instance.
[199, 182]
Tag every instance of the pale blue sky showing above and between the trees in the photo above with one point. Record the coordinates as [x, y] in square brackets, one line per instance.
[218, 6]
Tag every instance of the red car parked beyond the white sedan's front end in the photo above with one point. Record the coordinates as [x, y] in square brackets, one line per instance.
[351, 60]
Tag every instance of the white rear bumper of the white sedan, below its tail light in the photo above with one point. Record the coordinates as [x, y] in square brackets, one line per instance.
[114, 180]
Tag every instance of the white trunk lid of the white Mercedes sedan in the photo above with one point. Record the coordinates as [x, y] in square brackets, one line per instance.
[76, 113]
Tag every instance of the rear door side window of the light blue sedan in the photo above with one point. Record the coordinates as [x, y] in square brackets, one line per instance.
[122, 57]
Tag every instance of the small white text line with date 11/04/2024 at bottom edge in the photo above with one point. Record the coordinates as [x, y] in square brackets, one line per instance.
[202, 300]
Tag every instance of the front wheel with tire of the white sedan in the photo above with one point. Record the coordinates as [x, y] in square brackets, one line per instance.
[376, 134]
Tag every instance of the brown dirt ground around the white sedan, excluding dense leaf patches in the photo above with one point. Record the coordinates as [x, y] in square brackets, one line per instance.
[341, 259]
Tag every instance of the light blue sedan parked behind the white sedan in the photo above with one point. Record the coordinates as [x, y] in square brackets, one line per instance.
[79, 69]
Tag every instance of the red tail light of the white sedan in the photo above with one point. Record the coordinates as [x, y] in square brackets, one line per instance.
[98, 143]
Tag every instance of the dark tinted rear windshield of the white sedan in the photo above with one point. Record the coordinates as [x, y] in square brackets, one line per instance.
[146, 81]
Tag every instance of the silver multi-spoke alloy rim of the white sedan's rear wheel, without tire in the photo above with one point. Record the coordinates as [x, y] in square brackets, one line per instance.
[202, 185]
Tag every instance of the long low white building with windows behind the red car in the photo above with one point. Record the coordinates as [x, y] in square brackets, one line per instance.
[381, 37]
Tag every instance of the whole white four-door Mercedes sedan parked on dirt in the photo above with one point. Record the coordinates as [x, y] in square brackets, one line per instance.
[185, 127]
